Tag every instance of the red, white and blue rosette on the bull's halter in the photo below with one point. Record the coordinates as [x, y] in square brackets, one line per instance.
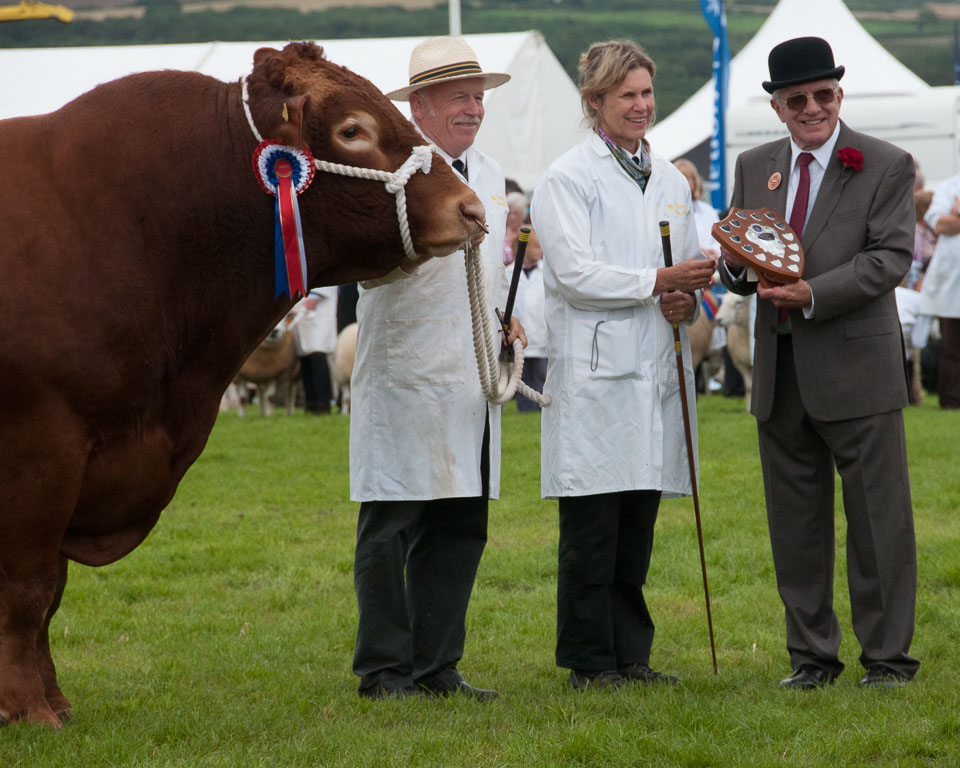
[285, 172]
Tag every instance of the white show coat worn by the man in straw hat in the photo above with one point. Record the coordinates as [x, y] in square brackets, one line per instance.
[417, 410]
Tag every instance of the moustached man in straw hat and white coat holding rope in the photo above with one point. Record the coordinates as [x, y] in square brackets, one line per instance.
[424, 443]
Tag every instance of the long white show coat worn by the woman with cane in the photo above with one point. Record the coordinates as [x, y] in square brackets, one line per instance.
[616, 422]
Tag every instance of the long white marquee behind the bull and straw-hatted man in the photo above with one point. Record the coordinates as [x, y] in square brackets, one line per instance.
[529, 121]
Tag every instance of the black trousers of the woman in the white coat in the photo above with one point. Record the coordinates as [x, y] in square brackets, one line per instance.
[605, 545]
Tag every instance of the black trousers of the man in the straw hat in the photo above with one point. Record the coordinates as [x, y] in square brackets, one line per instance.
[414, 569]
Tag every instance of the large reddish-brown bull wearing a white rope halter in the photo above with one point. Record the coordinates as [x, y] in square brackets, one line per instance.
[136, 275]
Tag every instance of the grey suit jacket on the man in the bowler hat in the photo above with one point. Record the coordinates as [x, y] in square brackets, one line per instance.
[858, 244]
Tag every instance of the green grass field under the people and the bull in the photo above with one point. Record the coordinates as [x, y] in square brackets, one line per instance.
[226, 638]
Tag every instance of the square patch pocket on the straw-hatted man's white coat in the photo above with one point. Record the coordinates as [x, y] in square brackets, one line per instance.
[424, 352]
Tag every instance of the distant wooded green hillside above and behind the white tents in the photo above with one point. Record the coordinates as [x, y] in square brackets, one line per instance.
[672, 31]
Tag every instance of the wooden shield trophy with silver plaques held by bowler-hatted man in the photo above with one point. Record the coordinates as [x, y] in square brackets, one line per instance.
[764, 241]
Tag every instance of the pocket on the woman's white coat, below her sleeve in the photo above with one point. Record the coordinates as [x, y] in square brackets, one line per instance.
[605, 349]
